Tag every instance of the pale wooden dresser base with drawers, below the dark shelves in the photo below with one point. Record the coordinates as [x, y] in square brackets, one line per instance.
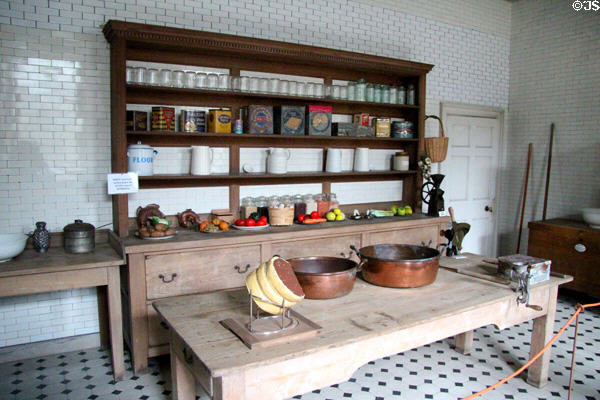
[197, 262]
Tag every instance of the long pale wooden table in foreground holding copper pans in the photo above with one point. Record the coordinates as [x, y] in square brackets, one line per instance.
[369, 323]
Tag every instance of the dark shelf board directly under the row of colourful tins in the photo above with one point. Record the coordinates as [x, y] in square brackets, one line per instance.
[184, 139]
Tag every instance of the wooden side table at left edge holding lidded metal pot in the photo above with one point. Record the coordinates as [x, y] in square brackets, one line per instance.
[32, 272]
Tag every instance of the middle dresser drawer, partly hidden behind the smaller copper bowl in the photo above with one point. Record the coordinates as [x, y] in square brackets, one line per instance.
[325, 246]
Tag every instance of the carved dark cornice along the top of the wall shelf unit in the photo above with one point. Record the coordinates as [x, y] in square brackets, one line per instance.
[140, 35]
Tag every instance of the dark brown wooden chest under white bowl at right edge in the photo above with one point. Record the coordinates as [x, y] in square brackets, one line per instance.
[574, 249]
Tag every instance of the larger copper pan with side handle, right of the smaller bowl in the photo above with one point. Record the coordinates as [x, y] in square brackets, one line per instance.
[398, 265]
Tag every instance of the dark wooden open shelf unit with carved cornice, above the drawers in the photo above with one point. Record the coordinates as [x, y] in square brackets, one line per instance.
[149, 43]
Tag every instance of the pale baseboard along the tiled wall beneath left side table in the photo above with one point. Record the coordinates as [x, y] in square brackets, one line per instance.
[49, 347]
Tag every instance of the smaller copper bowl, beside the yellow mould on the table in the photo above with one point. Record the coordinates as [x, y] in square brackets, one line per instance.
[324, 277]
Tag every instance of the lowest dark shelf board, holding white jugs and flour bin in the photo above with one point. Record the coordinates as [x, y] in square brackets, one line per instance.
[172, 180]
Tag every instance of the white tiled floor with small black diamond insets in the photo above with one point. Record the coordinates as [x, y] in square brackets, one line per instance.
[434, 371]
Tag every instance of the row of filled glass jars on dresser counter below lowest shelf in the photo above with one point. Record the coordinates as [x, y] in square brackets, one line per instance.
[302, 204]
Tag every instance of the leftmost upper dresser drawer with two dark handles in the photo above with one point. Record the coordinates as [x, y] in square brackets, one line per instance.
[199, 271]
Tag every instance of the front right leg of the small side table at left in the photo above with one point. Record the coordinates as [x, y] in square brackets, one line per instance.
[115, 322]
